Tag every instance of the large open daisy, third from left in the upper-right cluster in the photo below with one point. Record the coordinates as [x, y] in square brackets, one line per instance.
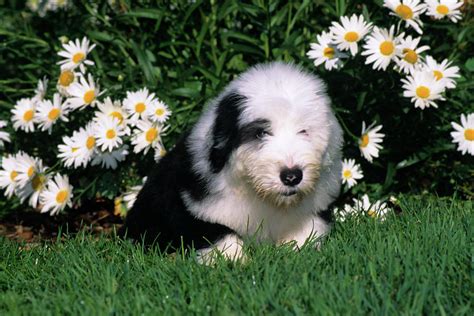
[381, 47]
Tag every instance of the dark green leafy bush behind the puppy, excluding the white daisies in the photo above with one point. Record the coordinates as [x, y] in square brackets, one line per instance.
[187, 51]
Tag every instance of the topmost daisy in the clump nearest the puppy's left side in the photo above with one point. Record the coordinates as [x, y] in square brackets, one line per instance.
[138, 104]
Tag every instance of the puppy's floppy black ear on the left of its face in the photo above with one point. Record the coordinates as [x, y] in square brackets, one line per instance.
[225, 130]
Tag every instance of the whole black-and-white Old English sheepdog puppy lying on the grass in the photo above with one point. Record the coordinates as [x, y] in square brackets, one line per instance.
[263, 160]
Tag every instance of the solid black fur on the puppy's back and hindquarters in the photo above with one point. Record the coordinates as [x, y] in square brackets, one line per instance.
[160, 216]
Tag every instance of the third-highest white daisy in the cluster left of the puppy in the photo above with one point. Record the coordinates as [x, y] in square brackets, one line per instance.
[84, 93]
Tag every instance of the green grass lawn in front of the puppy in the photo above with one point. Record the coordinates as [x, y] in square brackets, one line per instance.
[419, 262]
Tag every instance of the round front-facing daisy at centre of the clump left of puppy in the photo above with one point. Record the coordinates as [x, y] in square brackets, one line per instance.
[108, 132]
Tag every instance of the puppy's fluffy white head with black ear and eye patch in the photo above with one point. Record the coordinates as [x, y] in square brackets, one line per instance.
[272, 131]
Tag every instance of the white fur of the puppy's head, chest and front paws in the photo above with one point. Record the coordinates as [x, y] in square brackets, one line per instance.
[247, 195]
